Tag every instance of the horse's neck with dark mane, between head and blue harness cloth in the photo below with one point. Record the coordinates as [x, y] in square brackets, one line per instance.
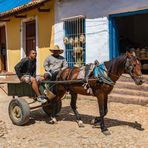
[116, 65]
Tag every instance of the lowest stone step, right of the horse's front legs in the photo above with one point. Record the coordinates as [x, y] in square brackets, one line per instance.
[128, 99]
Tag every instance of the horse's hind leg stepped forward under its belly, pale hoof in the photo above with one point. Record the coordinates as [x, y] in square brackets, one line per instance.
[74, 108]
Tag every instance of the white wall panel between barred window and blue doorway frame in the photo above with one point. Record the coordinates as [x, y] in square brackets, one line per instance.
[97, 40]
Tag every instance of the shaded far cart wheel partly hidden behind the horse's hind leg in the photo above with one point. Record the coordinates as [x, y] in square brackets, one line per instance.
[49, 108]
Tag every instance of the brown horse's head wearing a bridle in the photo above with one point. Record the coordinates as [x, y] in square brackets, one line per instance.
[133, 68]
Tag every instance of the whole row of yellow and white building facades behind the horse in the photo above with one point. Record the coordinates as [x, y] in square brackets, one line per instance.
[86, 30]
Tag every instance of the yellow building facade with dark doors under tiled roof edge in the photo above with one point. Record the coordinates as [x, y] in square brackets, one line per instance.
[29, 26]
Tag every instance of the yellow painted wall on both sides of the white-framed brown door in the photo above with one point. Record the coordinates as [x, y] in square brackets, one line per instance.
[45, 23]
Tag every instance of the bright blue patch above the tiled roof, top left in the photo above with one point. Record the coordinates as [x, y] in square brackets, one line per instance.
[6, 5]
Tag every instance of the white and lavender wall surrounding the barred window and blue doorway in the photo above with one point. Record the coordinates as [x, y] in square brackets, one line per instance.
[96, 13]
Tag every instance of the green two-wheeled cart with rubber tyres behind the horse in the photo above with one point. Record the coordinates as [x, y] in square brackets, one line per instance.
[19, 108]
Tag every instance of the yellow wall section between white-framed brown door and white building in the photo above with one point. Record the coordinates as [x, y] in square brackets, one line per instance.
[46, 35]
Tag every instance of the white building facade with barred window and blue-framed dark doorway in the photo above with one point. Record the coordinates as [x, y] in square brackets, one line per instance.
[109, 28]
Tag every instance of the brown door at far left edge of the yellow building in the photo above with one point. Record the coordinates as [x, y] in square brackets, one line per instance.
[3, 50]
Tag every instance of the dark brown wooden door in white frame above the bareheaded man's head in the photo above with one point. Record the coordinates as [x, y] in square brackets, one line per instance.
[30, 36]
